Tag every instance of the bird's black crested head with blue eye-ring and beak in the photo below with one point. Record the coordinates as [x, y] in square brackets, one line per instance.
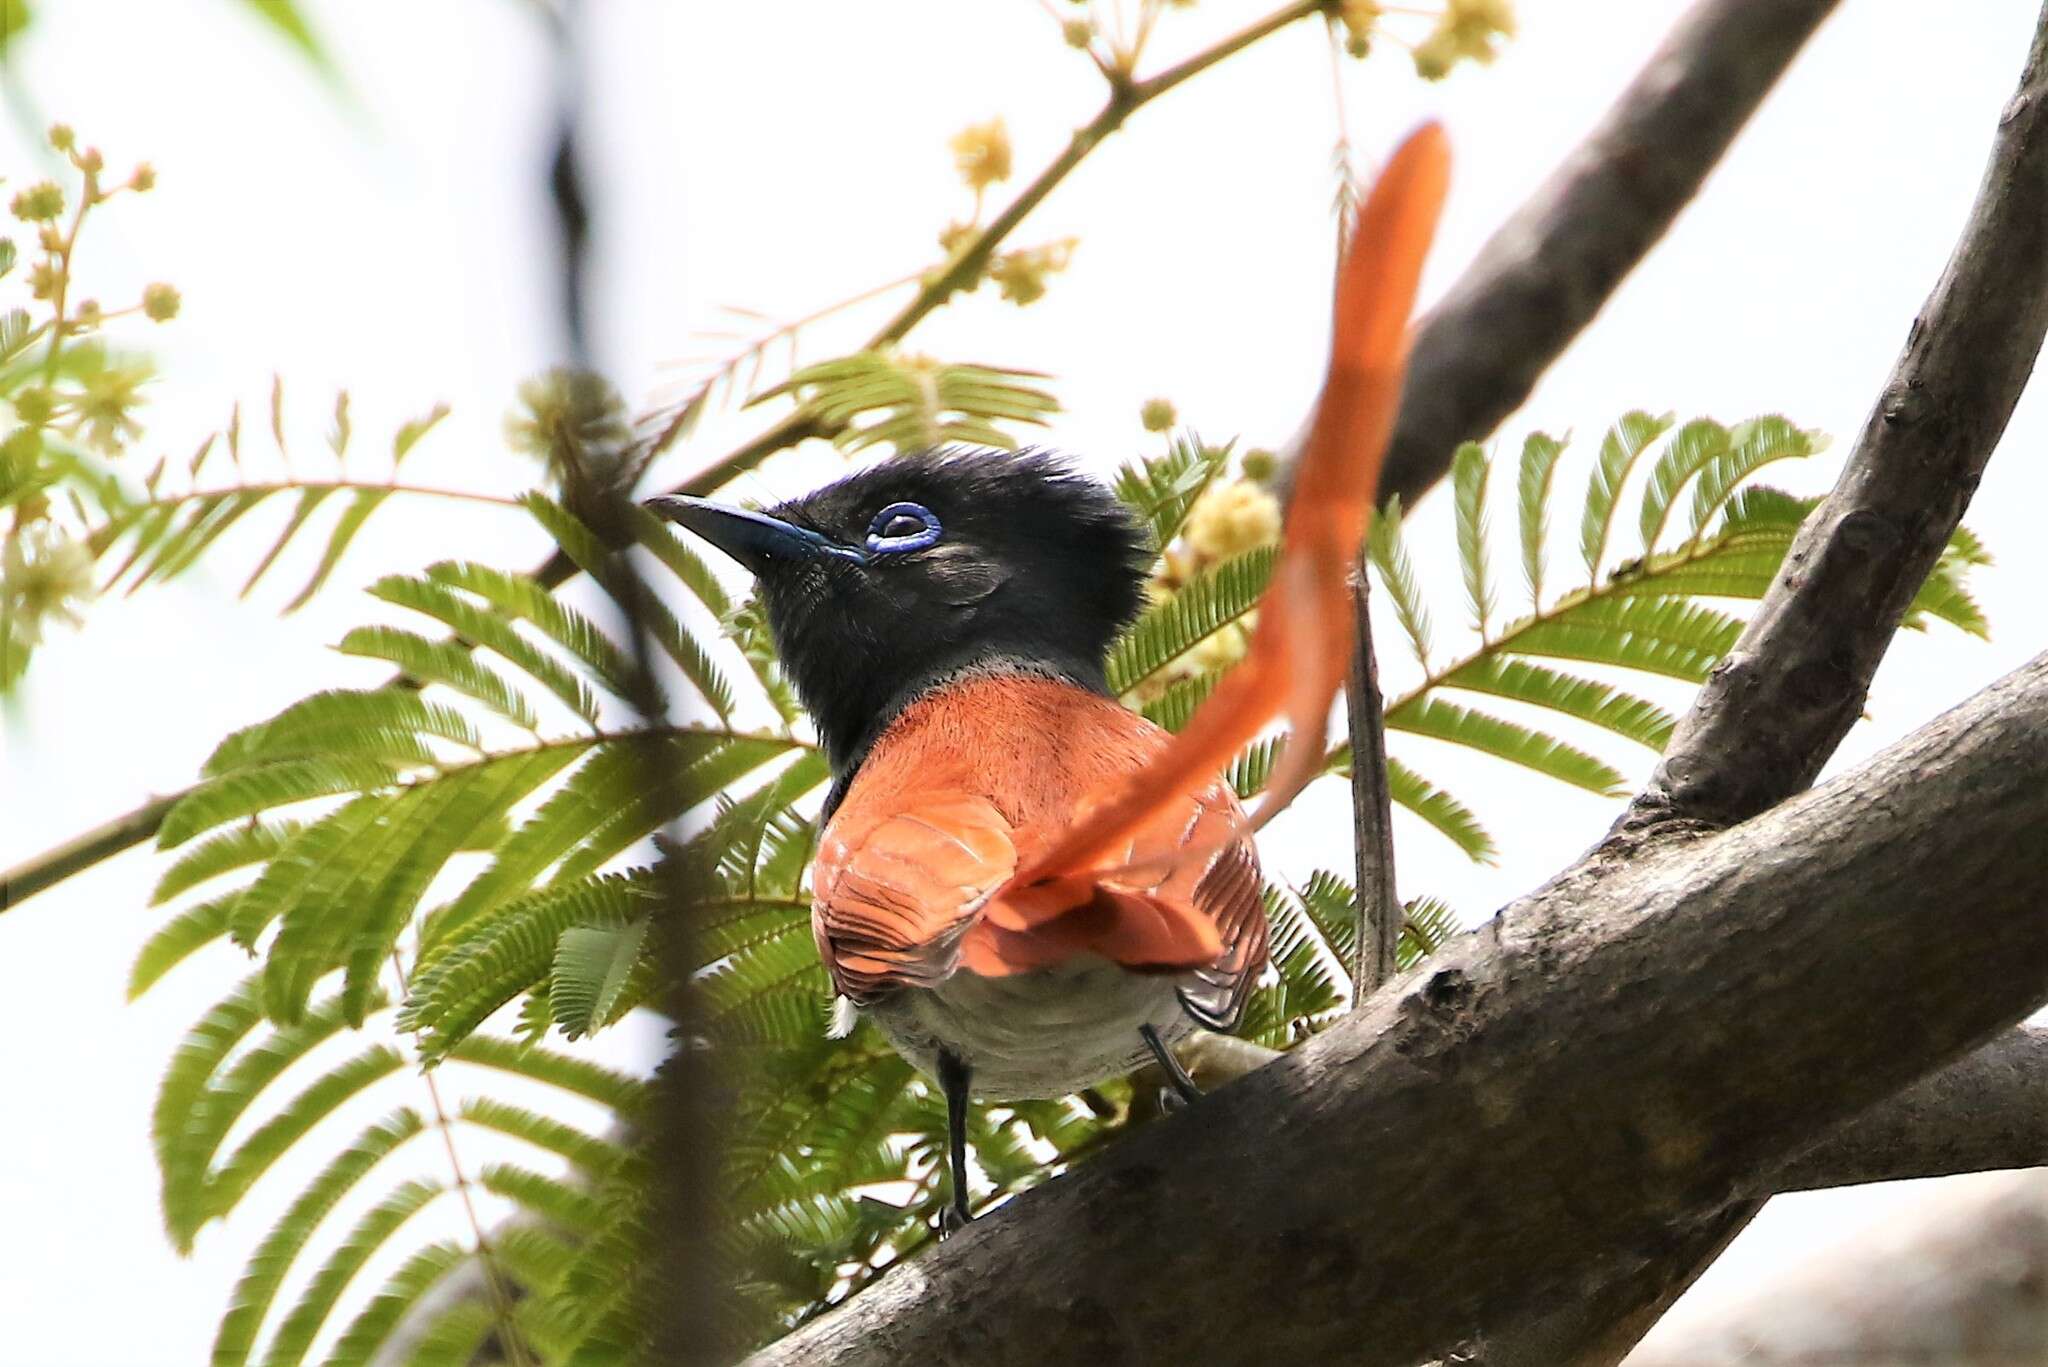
[908, 573]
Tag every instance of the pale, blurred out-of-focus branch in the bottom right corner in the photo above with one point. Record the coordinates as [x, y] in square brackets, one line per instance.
[1961, 1284]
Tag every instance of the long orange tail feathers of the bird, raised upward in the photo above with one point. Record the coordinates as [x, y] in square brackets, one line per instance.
[1302, 649]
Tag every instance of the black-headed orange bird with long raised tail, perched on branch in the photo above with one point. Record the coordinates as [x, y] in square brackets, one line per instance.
[1025, 884]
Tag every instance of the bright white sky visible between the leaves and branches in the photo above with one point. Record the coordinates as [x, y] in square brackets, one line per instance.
[779, 159]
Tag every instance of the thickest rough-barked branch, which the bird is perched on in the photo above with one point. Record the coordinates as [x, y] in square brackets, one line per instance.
[1596, 1050]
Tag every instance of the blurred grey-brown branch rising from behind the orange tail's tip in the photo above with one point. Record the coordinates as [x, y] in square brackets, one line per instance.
[1553, 265]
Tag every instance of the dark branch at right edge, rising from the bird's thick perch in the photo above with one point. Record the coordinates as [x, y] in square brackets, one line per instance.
[1797, 679]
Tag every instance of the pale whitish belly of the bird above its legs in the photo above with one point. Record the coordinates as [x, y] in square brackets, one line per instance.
[1041, 1034]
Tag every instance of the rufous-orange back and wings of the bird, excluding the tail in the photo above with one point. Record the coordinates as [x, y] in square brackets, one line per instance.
[908, 870]
